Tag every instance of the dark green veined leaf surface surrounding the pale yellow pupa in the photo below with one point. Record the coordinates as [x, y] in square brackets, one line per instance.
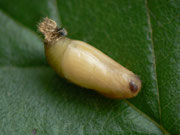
[142, 35]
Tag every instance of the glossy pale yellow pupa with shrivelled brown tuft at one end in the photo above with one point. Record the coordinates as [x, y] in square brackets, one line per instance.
[85, 65]
